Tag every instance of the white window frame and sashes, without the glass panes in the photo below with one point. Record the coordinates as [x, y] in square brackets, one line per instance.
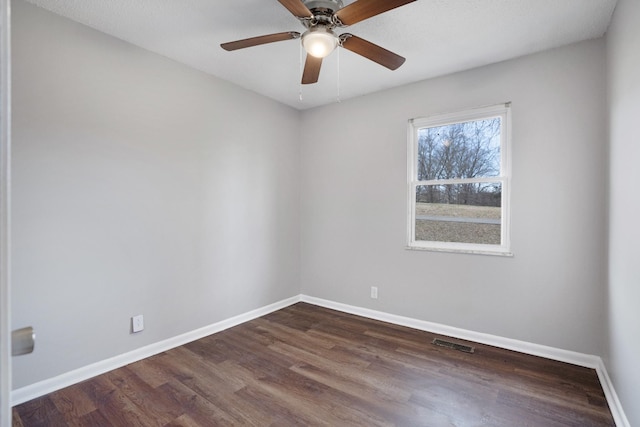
[504, 112]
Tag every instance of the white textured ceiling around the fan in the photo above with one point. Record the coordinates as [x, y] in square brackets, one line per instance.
[436, 36]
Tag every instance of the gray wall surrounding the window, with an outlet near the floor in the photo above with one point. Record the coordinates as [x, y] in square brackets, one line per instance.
[354, 204]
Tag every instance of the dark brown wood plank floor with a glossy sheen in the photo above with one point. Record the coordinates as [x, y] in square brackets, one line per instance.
[306, 365]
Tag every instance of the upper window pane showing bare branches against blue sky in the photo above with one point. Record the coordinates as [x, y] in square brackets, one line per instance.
[459, 150]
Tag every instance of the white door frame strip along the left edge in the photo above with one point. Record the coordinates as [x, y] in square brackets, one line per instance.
[5, 197]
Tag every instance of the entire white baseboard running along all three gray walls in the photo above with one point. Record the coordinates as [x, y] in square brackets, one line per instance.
[41, 388]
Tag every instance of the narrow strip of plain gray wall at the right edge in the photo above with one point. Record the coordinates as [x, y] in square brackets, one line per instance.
[623, 40]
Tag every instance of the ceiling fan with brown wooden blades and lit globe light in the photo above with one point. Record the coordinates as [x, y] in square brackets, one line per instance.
[321, 18]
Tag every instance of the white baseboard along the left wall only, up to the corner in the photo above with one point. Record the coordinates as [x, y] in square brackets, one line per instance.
[50, 385]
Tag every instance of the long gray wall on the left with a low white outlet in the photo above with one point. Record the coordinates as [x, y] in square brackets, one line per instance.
[140, 186]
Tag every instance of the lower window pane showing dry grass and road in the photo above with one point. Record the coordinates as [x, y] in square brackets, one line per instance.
[462, 213]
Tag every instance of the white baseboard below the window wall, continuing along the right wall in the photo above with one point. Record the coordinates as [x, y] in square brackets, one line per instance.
[575, 358]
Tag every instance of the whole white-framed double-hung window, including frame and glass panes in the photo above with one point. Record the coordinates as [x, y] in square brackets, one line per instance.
[458, 166]
